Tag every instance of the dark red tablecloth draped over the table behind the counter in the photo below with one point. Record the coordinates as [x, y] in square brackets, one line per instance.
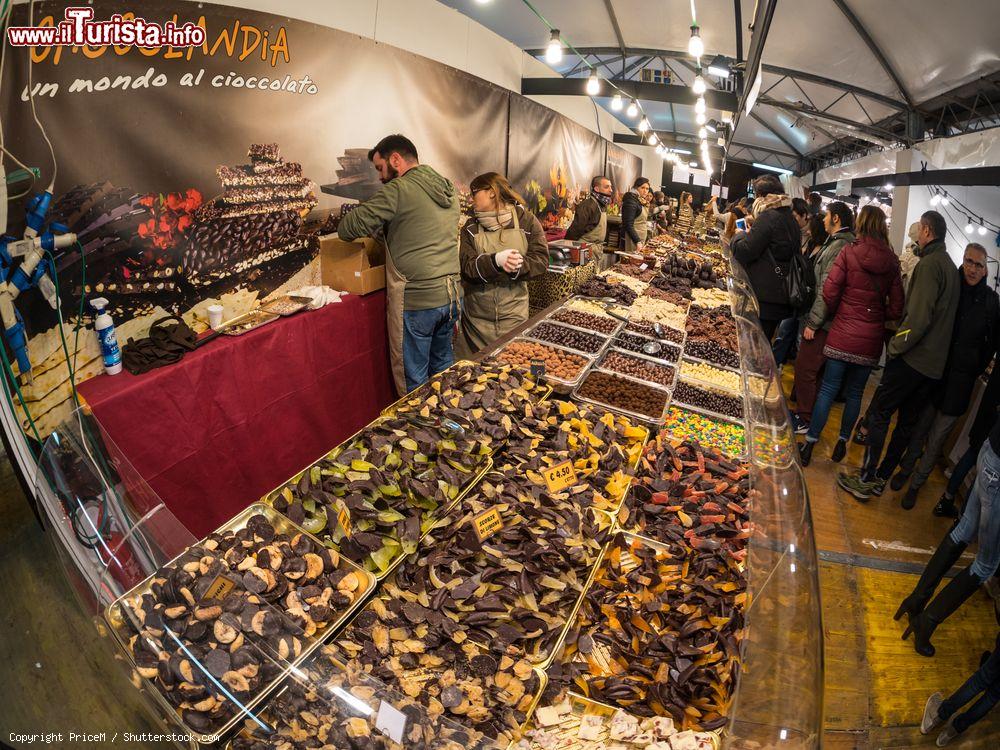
[234, 419]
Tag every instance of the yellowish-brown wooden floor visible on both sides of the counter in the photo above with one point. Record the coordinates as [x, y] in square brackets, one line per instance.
[57, 676]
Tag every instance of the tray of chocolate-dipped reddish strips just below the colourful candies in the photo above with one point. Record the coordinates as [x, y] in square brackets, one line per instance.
[688, 492]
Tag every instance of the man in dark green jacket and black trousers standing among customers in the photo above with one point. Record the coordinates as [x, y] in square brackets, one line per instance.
[916, 358]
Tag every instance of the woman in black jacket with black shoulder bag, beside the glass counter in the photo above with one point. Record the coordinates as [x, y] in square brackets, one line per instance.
[766, 250]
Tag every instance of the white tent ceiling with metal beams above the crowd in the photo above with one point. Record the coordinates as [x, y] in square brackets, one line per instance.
[930, 48]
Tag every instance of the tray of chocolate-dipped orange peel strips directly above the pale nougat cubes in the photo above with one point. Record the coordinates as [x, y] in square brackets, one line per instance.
[635, 645]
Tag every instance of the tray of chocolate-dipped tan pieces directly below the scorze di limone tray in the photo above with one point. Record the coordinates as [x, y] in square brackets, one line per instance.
[427, 656]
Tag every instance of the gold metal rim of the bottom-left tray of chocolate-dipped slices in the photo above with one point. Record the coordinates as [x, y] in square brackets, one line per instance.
[116, 620]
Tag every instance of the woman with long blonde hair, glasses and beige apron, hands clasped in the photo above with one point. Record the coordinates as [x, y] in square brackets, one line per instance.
[501, 247]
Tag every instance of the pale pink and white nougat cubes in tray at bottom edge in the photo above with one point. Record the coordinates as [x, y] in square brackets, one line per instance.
[584, 724]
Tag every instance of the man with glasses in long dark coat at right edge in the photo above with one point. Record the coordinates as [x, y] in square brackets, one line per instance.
[973, 345]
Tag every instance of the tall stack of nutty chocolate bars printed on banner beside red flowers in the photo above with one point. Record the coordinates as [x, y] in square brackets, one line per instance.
[257, 219]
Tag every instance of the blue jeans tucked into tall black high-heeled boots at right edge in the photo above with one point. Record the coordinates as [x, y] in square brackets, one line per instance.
[981, 516]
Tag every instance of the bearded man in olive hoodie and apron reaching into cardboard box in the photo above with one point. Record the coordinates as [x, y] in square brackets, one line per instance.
[417, 214]
